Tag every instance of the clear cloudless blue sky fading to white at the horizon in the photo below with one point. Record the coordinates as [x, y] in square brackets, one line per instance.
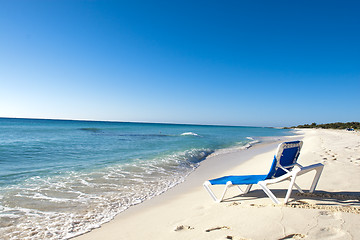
[259, 63]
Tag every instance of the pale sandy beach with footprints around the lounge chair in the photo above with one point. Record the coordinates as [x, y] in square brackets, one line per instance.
[188, 212]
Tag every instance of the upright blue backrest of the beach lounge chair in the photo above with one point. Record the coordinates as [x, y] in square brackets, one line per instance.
[287, 155]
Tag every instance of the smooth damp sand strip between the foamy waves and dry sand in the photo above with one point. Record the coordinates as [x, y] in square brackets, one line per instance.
[207, 169]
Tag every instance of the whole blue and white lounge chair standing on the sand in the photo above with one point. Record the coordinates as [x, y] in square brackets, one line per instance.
[284, 167]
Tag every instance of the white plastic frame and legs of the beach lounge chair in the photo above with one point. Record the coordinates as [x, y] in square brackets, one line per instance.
[297, 170]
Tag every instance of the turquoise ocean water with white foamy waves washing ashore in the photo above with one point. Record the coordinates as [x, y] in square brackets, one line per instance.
[59, 179]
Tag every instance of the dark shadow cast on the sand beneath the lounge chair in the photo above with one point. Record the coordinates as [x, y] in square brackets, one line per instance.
[322, 197]
